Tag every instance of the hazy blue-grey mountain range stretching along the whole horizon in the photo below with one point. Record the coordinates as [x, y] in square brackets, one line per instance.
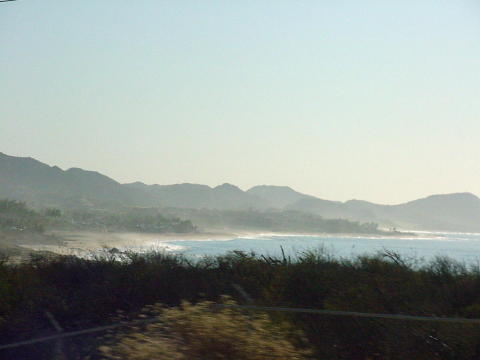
[41, 185]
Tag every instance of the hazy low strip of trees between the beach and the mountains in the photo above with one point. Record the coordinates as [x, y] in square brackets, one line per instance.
[16, 216]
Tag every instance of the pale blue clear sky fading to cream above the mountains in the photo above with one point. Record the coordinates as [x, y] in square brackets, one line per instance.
[374, 100]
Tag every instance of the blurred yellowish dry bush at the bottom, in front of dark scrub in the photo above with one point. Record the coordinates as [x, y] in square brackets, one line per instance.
[203, 332]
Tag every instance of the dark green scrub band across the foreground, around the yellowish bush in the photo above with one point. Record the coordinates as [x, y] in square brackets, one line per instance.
[85, 293]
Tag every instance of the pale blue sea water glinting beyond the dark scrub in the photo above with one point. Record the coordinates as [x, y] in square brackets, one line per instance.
[424, 246]
